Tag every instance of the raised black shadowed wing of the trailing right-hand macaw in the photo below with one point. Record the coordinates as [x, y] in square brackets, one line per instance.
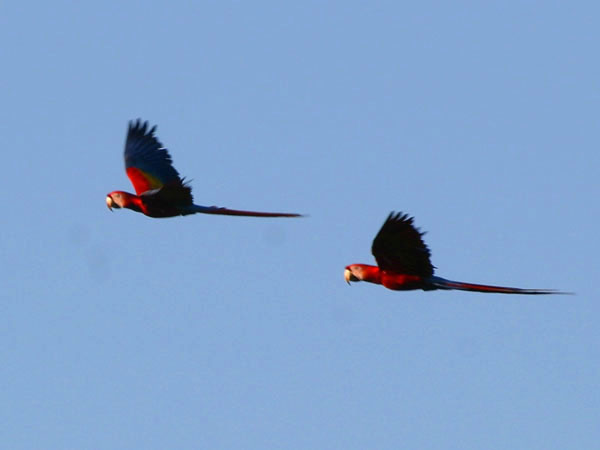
[399, 247]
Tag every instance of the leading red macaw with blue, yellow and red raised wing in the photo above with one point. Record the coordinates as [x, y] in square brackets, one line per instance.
[161, 192]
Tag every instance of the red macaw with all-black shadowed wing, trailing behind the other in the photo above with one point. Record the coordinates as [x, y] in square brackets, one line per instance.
[403, 263]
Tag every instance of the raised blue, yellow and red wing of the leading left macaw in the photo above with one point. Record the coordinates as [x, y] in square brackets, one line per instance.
[147, 163]
